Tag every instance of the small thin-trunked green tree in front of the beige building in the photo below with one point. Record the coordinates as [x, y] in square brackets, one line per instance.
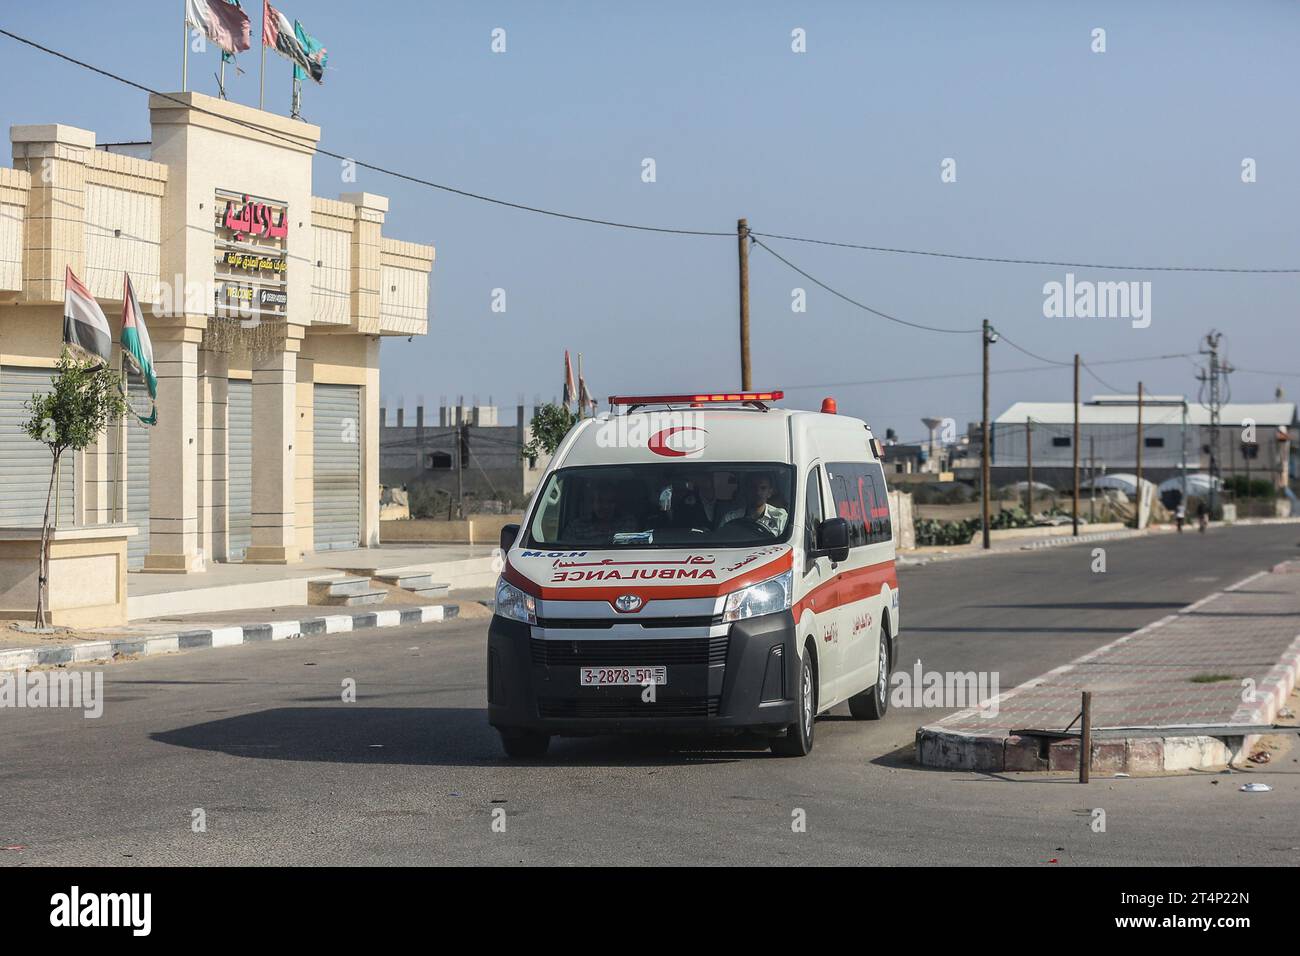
[85, 400]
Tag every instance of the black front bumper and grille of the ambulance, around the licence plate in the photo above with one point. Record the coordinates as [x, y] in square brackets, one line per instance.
[721, 678]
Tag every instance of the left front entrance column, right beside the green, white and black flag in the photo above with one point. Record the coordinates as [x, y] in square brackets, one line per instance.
[175, 453]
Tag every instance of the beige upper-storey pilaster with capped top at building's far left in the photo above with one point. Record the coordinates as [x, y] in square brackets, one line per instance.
[55, 227]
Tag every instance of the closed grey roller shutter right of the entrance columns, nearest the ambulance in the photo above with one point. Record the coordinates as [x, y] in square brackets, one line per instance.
[337, 468]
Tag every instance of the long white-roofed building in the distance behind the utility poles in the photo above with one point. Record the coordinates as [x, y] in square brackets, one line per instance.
[1108, 439]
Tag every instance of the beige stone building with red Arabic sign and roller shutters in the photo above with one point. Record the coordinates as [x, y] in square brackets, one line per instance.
[266, 306]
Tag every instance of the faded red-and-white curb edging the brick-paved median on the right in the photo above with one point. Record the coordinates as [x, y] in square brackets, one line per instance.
[1155, 750]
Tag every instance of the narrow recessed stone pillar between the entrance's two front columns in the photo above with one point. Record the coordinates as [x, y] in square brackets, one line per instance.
[214, 449]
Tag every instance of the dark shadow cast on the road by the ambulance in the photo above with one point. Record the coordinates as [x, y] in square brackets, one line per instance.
[432, 737]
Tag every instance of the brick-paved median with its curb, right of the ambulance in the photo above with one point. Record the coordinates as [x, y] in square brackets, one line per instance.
[1155, 694]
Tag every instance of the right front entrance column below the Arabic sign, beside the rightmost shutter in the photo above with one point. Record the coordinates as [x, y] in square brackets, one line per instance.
[275, 423]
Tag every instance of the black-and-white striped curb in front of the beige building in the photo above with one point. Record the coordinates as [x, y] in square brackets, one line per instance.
[197, 639]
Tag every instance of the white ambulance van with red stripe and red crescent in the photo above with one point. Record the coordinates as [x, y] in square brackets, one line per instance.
[697, 564]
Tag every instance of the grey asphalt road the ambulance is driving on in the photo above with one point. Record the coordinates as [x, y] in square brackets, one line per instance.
[287, 773]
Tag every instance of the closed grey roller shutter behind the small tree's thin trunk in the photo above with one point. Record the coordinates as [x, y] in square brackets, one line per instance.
[24, 462]
